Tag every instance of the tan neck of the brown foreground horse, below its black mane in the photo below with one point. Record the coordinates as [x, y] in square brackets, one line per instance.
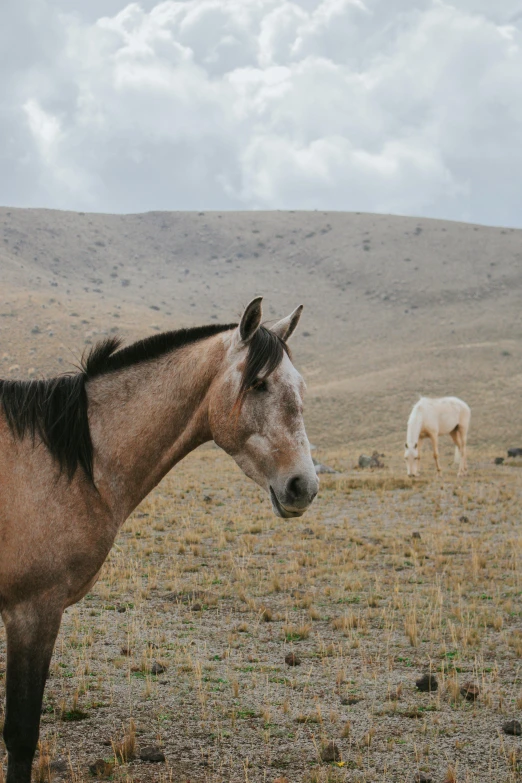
[146, 418]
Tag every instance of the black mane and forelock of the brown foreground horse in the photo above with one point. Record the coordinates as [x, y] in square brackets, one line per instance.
[55, 410]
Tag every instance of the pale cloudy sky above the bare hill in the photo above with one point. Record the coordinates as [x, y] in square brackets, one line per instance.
[403, 106]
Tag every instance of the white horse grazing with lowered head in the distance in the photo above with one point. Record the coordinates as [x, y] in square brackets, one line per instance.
[430, 418]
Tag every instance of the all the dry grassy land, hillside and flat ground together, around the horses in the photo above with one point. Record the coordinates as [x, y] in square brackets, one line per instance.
[182, 642]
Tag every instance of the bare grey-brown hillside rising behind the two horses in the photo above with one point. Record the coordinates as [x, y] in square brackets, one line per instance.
[394, 307]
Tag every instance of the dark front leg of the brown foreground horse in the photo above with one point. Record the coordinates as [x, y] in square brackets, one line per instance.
[31, 630]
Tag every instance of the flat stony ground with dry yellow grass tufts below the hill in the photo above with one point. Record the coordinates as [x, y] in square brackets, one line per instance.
[384, 580]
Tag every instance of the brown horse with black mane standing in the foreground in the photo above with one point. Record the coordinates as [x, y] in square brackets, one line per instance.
[79, 452]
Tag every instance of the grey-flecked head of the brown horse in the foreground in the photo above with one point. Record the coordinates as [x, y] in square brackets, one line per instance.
[256, 411]
